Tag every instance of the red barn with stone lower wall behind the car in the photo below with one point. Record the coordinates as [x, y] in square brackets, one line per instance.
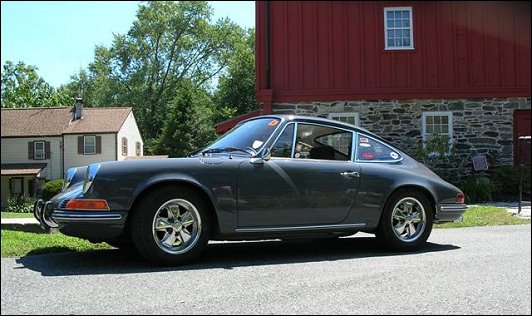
[405, 70]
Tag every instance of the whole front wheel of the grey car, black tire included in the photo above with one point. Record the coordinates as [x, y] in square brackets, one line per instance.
[162, 221]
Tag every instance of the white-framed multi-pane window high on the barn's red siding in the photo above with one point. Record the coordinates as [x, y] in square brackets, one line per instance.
[398, 28]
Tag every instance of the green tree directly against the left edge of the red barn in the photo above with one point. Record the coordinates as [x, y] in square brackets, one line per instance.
[236, 86]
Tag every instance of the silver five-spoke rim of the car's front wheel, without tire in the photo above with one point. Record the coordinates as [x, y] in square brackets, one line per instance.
[176, 226]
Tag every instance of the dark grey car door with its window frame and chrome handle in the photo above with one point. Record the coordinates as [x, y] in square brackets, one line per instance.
[298, 185]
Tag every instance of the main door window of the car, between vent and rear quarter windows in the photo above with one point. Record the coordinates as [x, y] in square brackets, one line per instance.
[322, 142]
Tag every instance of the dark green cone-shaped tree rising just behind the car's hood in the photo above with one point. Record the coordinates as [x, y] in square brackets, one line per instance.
[188, 125]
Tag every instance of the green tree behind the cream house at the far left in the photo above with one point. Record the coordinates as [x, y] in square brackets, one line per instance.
[23, 87]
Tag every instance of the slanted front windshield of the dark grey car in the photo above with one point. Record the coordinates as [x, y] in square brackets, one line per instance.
[252, 134]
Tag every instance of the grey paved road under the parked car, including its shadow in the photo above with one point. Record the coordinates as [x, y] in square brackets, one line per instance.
[462, 271]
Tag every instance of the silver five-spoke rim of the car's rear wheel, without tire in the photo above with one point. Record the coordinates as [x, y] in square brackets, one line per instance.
[408, 219]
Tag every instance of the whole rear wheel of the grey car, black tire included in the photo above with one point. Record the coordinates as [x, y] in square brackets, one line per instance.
[399, 227]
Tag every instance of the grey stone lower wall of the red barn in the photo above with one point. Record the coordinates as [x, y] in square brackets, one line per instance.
[480, 126]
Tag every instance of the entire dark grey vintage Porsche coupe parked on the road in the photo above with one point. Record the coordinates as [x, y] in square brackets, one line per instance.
[274, 176]
